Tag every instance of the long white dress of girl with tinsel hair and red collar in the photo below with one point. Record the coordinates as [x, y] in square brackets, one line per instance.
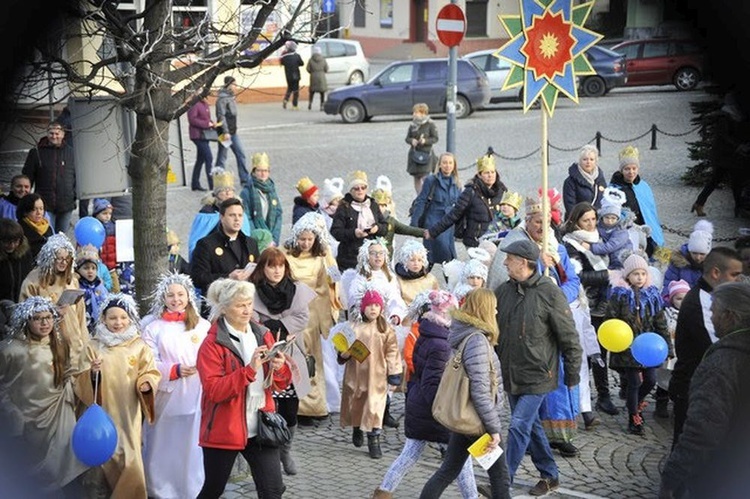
[172, 459]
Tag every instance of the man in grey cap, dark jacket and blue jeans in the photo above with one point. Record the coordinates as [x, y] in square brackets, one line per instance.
[536, 328]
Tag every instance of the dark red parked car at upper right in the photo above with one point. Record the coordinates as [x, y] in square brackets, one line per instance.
[663, 61]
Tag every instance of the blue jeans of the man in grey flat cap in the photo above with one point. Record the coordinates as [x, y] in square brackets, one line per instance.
[526, 432]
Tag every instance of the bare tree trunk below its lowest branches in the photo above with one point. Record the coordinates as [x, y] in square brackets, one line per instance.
[148, 171]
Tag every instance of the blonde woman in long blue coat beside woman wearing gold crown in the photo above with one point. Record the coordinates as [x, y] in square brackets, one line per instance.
[436, 199]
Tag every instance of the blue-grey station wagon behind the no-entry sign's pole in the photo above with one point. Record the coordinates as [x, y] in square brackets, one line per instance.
[404, 83]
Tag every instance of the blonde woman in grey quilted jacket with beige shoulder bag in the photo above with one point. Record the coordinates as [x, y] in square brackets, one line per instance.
[474, 329]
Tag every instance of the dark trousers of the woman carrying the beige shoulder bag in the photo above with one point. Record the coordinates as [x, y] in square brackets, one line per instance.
[455, 460]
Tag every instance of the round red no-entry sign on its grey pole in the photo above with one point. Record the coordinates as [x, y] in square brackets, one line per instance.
[450, 26]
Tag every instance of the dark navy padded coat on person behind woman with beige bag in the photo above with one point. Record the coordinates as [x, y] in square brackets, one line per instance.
[431, 353]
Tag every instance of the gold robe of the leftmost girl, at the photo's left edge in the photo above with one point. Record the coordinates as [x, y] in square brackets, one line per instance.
[40, 412]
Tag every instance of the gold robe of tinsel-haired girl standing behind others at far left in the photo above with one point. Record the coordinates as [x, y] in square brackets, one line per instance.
[73, 325]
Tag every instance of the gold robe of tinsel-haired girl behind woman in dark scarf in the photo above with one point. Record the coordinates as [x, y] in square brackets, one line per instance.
[312, 271]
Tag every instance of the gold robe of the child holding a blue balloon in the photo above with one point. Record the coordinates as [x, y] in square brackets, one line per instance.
[124, 368]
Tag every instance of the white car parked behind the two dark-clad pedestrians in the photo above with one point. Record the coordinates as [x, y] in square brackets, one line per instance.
[347, 64]
